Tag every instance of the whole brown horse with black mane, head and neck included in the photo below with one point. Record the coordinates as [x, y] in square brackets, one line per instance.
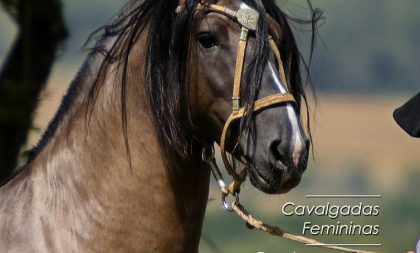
[120, 168]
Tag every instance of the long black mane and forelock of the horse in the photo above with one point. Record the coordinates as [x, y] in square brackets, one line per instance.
[168, 42]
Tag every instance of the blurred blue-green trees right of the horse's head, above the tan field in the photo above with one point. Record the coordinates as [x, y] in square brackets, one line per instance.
[368, 46]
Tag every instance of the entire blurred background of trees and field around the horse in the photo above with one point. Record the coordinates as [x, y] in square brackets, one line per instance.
[367, 62]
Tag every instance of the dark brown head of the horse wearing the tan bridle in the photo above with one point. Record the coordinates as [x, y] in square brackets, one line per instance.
[267, 136]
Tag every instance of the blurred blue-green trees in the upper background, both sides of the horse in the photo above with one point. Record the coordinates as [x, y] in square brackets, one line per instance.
[364, 46]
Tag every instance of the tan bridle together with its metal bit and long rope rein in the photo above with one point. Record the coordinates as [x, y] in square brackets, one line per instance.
[248, 18]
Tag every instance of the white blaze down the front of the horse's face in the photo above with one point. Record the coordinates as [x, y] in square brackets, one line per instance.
[293, 119]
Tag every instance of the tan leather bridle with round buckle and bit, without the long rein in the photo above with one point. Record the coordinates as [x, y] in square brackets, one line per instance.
[247, 18]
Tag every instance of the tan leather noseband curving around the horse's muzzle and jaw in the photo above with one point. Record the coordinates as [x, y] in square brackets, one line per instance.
[259, 105]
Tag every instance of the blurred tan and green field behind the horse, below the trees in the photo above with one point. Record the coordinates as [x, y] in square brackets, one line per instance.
[358, 150]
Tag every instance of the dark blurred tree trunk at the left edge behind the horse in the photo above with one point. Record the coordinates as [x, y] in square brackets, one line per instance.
[25, 71]
